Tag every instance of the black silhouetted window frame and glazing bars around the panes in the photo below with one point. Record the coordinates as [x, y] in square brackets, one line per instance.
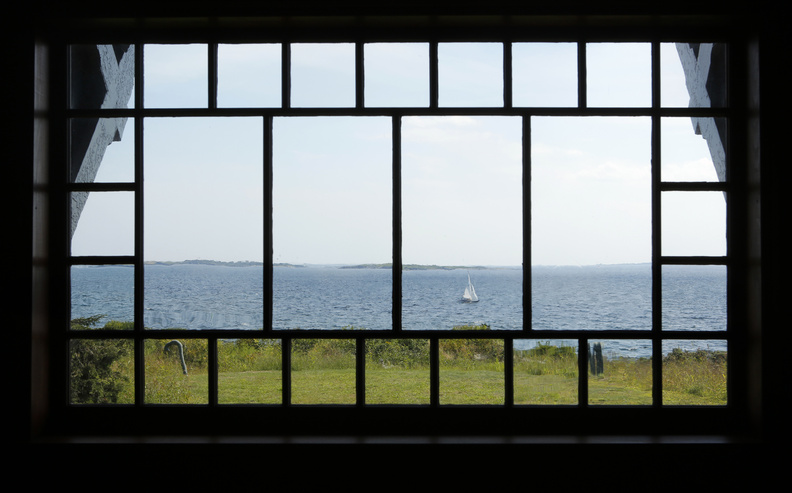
[508, 420]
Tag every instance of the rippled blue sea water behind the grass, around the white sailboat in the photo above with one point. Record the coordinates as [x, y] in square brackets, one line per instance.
[328, 297]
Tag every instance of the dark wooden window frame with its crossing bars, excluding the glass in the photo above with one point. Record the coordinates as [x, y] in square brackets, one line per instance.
[504, 421]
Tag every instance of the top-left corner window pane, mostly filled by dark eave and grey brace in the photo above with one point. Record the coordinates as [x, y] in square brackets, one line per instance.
[102, 76]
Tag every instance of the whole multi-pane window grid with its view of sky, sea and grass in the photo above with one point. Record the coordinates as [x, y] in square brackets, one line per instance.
[282, 224]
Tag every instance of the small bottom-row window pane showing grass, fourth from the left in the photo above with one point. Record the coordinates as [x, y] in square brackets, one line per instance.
[323, 371]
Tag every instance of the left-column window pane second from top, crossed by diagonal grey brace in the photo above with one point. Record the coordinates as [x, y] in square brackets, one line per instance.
[102, 150]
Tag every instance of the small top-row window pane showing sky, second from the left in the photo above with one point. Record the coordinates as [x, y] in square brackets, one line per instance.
[176, 76]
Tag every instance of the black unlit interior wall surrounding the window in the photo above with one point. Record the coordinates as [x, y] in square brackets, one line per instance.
[723, 462]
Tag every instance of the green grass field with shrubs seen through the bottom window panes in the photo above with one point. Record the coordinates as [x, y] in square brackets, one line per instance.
[471, 371]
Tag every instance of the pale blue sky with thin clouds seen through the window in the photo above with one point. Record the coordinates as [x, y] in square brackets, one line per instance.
[462, 180]
